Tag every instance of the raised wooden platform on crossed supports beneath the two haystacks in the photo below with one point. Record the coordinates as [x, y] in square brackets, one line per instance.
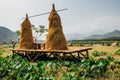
[81, 52]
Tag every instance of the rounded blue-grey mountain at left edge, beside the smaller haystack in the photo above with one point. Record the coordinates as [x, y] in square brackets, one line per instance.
[6, 35]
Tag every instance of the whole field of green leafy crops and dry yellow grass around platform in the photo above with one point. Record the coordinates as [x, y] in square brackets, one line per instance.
[100, 67]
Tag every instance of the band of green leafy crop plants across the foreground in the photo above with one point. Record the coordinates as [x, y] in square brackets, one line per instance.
[19, 68]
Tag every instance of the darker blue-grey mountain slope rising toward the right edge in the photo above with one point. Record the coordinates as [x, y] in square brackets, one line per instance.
[115, 33]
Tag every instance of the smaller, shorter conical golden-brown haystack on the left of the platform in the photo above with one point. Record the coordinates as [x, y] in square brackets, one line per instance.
[26, 39]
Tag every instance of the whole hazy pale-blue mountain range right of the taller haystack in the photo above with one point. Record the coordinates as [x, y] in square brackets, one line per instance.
[99, 35]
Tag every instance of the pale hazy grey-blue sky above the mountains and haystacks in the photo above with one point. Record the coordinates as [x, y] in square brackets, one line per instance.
[82, 16]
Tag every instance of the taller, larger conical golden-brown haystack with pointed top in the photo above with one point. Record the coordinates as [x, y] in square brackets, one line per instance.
[55, 38]
